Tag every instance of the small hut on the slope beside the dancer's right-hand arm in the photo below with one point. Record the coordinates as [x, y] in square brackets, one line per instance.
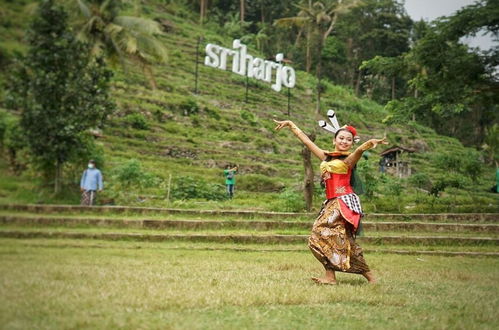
[395, 161]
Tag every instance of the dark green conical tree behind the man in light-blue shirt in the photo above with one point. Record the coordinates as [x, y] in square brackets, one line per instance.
[60, 91]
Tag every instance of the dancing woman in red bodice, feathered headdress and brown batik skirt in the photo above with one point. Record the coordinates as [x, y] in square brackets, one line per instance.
[332, 240]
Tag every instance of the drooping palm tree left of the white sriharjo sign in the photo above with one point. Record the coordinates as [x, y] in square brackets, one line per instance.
[120, 38]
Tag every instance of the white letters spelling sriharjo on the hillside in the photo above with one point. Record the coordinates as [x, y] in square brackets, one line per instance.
[247, 65]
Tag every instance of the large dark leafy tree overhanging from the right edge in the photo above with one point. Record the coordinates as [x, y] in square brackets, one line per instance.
[457, 86]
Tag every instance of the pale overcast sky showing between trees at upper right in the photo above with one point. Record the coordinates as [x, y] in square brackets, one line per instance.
[431, 9]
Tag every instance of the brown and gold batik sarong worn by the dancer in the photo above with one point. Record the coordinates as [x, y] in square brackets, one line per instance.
[332, 241]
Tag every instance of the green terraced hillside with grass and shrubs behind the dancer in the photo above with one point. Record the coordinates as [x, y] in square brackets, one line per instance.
[167, 147]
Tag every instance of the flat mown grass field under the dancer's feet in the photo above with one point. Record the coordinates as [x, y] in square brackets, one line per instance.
[138, 285]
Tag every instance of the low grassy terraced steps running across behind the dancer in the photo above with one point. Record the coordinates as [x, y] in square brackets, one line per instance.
[437, 234]
